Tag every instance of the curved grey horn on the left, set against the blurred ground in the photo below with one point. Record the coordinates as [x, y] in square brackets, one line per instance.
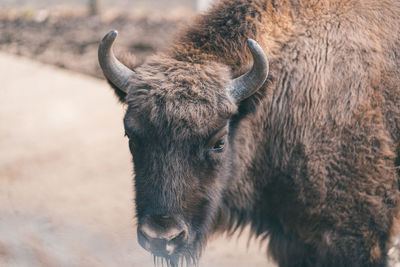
[114, 70]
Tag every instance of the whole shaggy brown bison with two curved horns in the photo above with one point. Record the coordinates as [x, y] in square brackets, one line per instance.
[296, 134]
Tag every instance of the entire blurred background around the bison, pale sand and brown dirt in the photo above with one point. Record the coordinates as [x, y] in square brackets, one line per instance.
[66, 190]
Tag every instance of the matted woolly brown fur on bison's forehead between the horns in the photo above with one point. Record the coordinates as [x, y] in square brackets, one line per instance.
[182, 98]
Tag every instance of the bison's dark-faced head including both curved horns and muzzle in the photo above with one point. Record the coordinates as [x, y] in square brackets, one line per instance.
[177, 122]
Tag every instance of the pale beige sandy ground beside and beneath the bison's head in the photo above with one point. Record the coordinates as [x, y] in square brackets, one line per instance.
[66, 195]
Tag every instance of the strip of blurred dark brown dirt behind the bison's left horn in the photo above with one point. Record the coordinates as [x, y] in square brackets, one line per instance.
[69, 38]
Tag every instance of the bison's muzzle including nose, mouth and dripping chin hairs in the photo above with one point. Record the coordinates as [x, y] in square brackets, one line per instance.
[169, 240]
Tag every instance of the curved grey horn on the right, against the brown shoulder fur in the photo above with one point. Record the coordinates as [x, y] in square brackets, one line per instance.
[247, 84]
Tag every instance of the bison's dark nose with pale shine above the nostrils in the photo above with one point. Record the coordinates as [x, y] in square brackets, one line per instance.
[161, 235]
